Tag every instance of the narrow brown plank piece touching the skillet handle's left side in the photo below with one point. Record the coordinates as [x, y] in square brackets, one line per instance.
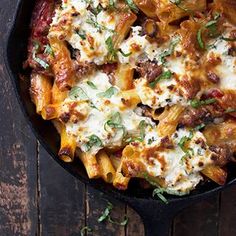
[135, 226]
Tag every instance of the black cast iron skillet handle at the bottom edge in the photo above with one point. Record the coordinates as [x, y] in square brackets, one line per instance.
[157, 216]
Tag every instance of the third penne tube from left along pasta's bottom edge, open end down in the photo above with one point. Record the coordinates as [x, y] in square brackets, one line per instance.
[107, 170]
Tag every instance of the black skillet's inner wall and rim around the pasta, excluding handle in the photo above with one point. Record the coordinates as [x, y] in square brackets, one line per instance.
[15, 54]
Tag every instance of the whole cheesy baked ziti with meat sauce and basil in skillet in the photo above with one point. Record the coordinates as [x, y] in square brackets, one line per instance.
[141, 89]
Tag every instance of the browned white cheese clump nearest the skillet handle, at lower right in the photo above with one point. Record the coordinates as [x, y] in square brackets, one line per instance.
[180, 172]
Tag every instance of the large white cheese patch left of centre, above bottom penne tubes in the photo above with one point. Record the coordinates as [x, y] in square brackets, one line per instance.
[101, 111]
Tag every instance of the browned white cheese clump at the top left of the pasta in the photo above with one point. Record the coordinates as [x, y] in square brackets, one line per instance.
[87, 33]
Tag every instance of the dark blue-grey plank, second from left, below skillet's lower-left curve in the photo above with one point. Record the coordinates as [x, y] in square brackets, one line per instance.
[62, 211]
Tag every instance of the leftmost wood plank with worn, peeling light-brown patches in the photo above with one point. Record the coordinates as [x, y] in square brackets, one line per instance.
[18, 168]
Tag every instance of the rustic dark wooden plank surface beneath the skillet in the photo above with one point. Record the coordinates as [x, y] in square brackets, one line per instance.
[37, 196]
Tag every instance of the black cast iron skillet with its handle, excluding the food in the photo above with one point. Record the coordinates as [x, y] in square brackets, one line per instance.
[156, 215]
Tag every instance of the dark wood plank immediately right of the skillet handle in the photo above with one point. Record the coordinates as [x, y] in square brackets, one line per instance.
[200, 219]
